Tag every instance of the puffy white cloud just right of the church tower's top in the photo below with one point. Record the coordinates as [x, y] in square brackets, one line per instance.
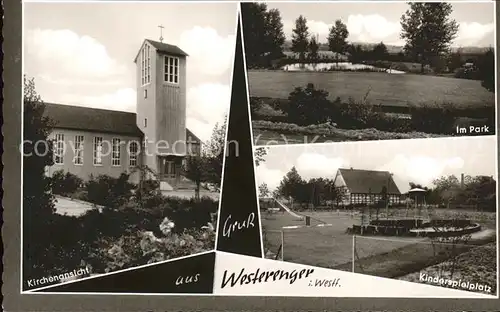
[209, 53]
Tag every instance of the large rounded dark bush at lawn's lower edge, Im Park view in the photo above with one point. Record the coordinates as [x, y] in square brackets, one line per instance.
[308, 106]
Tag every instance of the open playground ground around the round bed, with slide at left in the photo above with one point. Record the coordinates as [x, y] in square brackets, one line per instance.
[322, 238]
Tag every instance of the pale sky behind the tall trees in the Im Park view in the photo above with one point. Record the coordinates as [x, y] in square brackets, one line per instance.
[376, 22]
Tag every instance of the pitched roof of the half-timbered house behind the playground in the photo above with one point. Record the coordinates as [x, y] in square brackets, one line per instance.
[366, 181]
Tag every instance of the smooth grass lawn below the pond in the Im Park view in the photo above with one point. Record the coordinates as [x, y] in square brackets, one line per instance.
[386, 89]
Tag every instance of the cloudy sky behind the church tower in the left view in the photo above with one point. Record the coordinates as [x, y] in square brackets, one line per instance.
[83, 53]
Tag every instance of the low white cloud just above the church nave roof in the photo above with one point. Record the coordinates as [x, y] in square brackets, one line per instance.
[121, 100]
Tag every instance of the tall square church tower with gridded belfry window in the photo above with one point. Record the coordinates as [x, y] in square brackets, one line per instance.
[161, 108]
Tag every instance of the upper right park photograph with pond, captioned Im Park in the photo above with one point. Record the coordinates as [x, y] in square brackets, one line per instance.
[360, 71]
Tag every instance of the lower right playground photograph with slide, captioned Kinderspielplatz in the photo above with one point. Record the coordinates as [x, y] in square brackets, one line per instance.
[418, 210]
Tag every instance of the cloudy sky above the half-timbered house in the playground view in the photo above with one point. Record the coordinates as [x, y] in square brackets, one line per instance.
[417, 160]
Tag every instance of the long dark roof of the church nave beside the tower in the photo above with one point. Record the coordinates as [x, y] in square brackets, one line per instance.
[96, 120]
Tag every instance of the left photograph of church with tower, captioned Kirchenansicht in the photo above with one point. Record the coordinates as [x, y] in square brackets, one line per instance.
[125, 114]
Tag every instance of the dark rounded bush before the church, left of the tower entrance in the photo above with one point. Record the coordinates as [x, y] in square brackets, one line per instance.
[108, 191]
